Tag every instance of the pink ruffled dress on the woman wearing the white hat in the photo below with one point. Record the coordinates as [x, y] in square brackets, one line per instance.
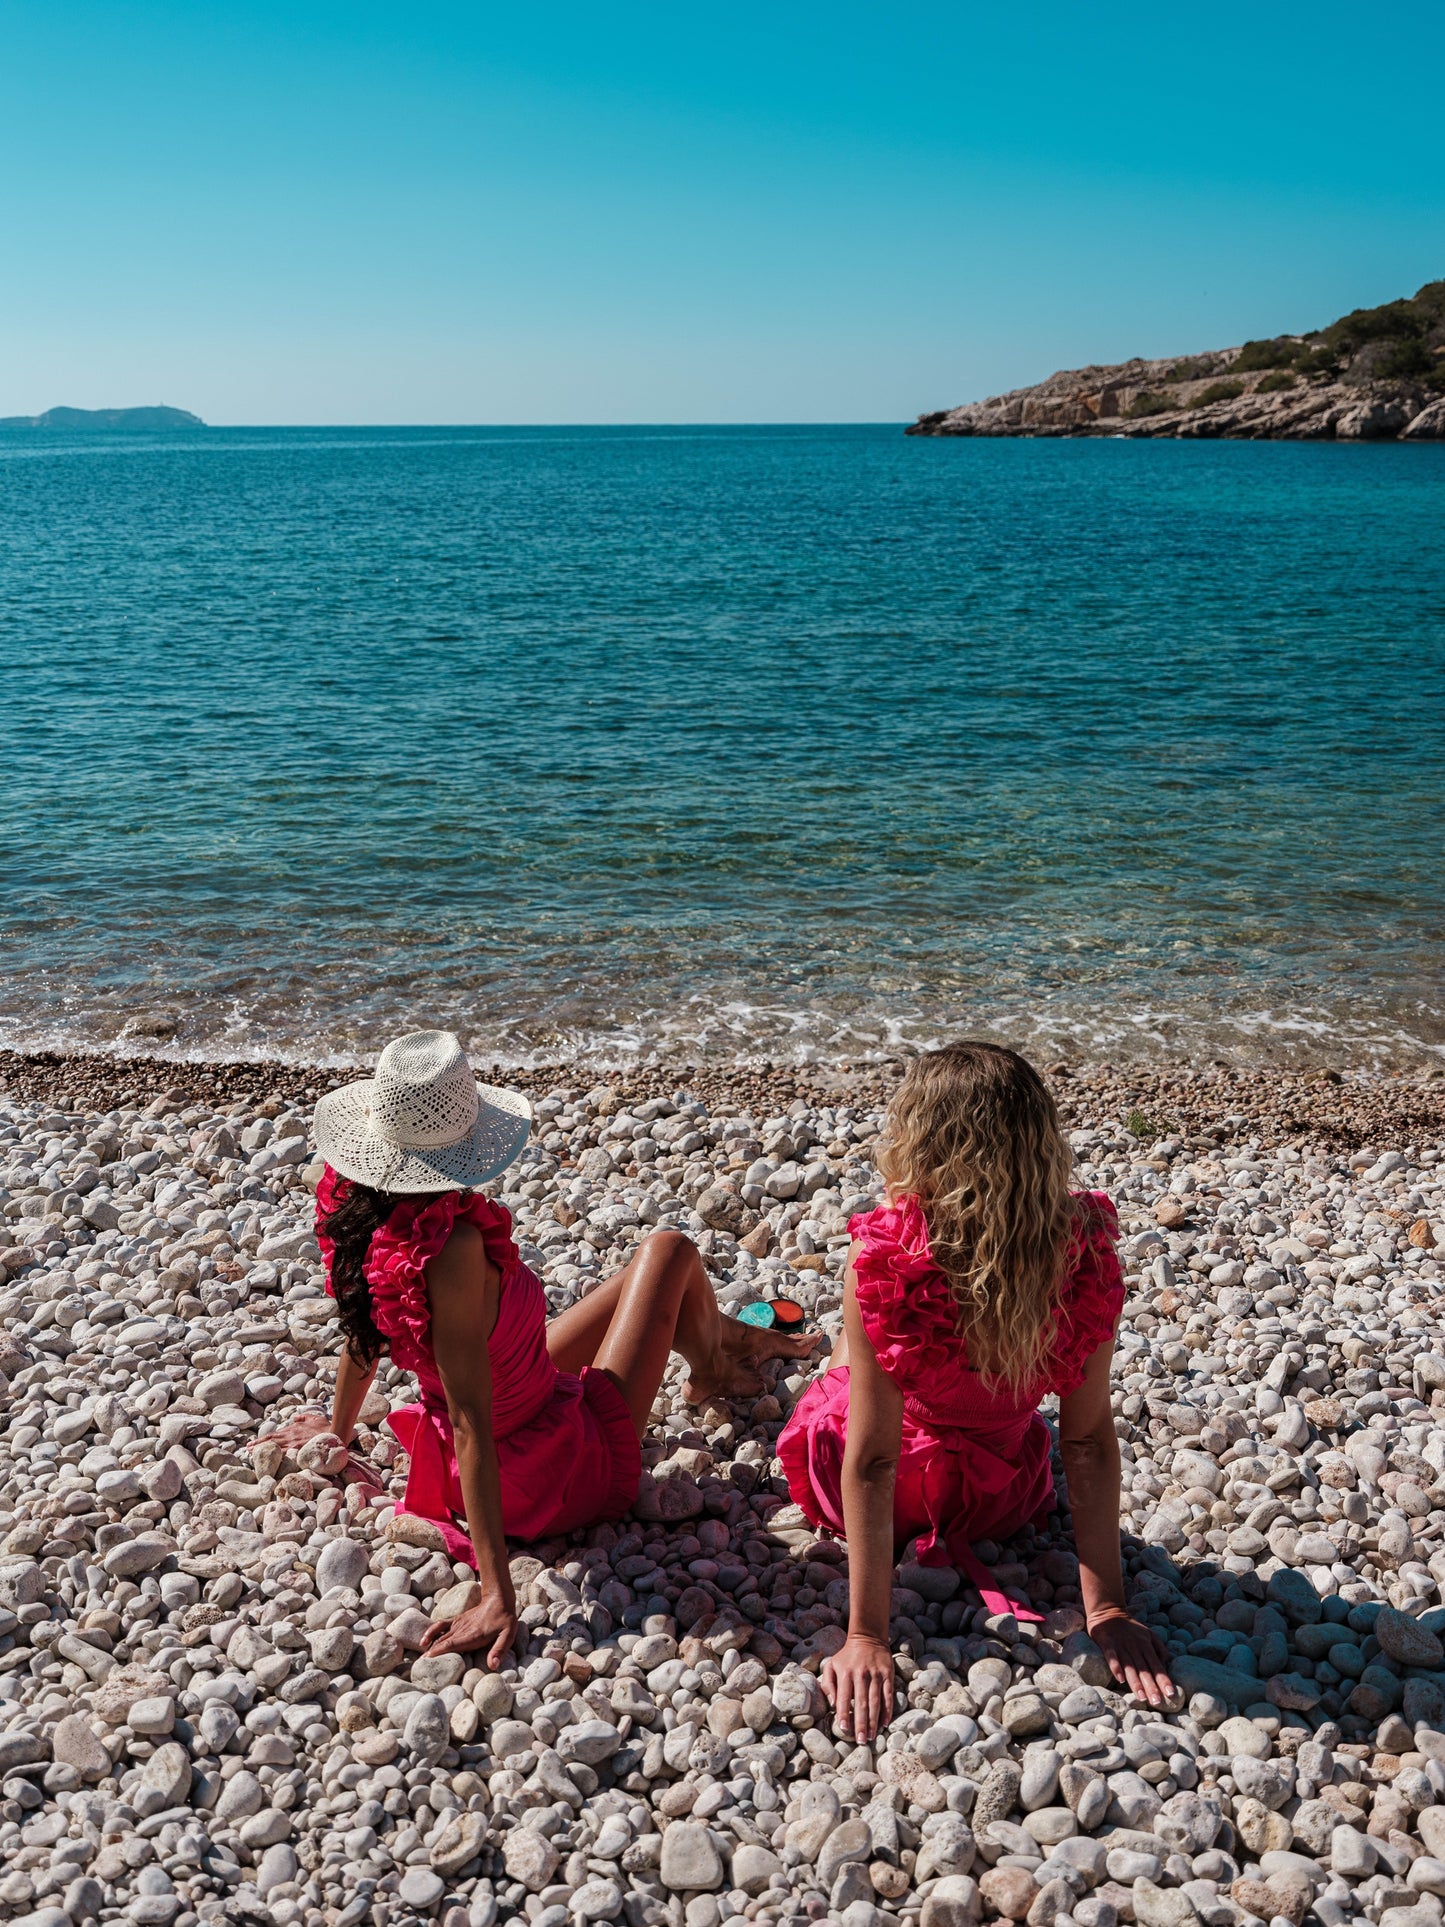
[565, 1444]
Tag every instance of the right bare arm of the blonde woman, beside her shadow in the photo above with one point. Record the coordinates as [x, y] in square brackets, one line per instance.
[1091, 1465]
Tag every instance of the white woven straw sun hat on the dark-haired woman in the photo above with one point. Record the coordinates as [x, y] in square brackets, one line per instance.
[423, 1122]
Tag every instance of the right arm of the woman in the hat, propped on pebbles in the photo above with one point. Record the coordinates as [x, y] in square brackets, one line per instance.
[463, 1290]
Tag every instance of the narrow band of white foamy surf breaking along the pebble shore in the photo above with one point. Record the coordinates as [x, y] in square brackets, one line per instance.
[739, 1034]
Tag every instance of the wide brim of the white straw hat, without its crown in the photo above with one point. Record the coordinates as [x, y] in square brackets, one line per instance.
[346, 1140]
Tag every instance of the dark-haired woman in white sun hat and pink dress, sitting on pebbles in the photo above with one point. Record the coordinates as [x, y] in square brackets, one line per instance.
[523, 1429]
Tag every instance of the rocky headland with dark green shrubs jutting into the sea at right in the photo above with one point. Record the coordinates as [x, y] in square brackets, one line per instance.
[1377, 375]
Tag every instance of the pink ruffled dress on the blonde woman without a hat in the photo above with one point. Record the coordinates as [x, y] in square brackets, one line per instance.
[976, 1462]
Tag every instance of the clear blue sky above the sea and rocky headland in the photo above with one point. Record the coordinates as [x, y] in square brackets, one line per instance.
[631, 213]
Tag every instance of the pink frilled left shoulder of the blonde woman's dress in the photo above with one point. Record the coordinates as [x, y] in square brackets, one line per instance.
[903, 1298]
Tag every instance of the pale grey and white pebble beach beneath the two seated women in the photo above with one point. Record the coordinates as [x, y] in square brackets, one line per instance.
[213, 1704]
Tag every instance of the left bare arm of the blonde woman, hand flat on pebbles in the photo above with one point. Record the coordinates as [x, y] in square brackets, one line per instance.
[860, 1679]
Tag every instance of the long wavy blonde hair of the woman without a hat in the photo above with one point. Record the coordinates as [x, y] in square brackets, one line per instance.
[976, 1138]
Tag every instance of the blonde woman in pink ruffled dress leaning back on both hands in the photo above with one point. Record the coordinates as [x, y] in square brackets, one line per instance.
[982, 1286]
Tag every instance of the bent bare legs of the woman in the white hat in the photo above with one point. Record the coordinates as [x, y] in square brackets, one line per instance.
[658, 1304]
